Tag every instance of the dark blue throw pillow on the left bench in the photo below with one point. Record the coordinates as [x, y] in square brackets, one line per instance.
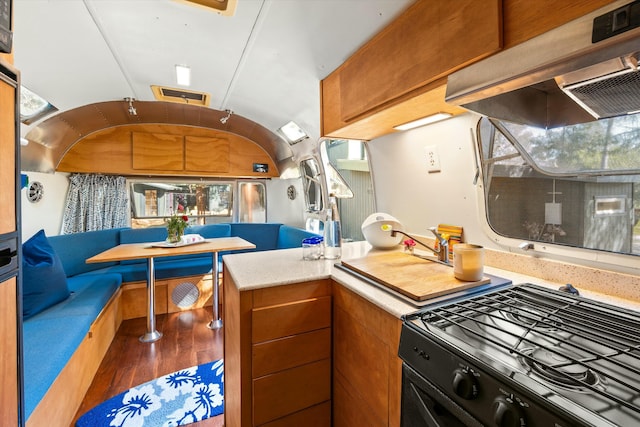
[44, 282]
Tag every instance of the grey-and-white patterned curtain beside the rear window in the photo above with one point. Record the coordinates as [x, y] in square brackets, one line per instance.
[95, 202]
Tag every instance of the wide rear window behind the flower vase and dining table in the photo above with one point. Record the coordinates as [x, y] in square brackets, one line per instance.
[203, 202]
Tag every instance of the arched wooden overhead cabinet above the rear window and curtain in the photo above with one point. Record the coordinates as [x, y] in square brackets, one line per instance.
[111, 151]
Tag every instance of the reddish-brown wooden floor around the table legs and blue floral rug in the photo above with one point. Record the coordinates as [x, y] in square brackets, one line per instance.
[186, 342]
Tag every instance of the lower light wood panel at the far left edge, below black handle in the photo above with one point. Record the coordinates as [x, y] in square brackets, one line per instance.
[8, 354]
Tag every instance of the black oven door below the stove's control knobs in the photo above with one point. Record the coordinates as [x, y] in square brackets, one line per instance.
[425, 405]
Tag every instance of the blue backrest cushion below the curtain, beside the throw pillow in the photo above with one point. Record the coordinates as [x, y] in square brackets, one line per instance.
[74, 249]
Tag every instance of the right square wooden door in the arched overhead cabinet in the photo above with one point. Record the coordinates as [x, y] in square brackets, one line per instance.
[207, 154]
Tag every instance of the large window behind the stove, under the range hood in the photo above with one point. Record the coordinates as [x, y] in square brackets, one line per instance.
[577, 185]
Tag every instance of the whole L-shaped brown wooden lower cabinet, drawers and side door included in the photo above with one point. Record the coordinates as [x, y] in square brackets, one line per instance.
[310, 353]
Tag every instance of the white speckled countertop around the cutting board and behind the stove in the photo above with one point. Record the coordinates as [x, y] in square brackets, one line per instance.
[263, 269]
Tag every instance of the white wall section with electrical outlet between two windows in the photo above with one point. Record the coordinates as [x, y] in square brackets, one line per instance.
[419, 199]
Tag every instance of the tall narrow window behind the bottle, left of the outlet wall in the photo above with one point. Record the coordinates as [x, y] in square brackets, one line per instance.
[349, 178]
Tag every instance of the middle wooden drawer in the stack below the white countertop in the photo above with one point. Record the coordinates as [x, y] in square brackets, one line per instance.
[289, 352]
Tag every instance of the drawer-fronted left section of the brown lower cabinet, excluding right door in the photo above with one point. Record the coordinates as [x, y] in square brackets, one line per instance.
[278, 355]
